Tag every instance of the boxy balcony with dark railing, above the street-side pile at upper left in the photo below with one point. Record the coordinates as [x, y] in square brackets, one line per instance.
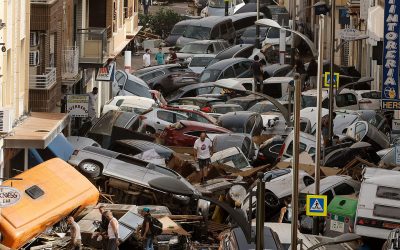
[92, 44]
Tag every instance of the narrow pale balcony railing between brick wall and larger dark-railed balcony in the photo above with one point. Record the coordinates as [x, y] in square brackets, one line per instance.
[70, 69]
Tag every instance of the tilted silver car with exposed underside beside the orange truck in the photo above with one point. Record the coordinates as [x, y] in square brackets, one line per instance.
[127, 177]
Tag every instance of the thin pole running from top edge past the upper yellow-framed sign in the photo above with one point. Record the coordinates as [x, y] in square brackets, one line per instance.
[332, 73]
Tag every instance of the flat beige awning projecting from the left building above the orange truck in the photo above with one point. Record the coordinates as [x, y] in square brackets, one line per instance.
[36, 131]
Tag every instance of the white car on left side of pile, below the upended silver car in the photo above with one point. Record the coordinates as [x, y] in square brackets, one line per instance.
[136, 104]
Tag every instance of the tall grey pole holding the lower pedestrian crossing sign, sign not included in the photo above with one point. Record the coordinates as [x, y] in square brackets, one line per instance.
[319, 111]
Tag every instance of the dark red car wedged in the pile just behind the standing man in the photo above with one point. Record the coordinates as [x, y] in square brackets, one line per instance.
[185, 133]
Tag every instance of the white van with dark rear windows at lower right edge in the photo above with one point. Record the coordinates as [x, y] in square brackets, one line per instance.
[378, 209]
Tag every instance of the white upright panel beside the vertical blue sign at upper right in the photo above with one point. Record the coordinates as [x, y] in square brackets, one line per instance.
[375, 24]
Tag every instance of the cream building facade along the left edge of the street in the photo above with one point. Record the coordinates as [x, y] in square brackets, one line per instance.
[14, 69]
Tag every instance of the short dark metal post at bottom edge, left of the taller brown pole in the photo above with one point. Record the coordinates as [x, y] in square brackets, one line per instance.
[260, 218]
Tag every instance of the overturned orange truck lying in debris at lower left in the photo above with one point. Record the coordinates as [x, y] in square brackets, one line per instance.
[49, 192]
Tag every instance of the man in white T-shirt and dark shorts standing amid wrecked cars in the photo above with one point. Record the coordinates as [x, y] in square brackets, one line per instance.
[202, 153]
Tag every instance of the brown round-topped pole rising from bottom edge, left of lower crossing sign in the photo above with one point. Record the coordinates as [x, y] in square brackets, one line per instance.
[295, 161]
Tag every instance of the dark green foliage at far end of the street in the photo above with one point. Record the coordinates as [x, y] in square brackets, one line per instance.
[160, 22]
